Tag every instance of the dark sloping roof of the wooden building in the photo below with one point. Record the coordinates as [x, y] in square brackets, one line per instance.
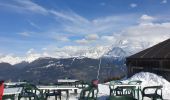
[159, 51]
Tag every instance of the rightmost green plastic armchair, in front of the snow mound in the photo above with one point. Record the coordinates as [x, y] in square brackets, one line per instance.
[154, 95]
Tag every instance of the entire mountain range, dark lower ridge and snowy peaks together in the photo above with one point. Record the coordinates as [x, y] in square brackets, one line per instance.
[83, 66]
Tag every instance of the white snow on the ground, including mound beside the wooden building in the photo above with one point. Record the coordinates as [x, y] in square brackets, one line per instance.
[148, 79]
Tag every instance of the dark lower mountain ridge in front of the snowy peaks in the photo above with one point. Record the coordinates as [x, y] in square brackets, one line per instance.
[49, 69]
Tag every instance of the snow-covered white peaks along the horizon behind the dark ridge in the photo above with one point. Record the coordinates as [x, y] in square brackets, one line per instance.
[121, 48]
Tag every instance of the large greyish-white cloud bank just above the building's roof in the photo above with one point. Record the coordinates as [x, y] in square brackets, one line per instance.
[153, 32]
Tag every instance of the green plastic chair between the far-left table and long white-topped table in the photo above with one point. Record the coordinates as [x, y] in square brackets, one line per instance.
[31, 91]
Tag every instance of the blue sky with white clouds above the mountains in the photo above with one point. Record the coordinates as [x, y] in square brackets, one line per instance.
[44, 26]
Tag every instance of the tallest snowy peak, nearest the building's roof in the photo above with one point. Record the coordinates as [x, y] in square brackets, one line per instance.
[124, 48]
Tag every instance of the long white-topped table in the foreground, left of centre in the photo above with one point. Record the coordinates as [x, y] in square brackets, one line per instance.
[59, 88]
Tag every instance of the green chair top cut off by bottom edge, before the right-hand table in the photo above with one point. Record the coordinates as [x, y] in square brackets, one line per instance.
[121, 98]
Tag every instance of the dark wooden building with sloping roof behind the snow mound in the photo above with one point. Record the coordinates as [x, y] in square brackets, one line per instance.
[155, 59]
